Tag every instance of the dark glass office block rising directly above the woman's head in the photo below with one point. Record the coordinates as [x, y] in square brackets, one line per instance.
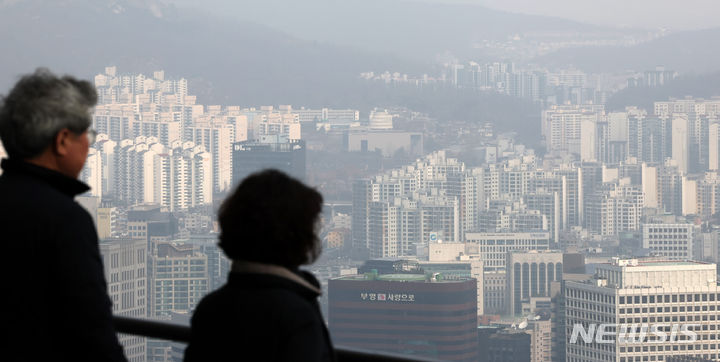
[268, 152]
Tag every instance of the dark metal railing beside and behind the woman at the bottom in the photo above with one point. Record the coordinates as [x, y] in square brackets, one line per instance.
[180, 333]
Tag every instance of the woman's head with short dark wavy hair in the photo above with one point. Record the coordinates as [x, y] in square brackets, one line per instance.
[271, 218]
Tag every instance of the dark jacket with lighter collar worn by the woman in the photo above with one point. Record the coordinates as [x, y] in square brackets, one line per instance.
[261, 316]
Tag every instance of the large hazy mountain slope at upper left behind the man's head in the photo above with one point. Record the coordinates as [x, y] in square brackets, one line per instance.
[228, 61]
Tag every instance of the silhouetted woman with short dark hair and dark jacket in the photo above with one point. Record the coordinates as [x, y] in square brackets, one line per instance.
[268, 309]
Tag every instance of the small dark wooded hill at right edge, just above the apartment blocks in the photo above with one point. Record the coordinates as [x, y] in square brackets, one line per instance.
[700, 86]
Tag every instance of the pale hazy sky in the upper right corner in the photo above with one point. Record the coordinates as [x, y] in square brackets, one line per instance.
[672, 14]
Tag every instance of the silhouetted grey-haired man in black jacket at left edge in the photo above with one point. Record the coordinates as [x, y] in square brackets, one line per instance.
[55, 302]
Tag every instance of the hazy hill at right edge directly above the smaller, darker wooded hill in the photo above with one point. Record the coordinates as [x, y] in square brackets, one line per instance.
[689, 51]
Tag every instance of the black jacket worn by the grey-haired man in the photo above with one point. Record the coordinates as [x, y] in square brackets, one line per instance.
[55, 303]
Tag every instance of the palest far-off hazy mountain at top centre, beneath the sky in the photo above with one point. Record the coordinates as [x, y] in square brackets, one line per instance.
[408, 28]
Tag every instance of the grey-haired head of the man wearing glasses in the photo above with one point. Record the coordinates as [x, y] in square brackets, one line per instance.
[44, 119]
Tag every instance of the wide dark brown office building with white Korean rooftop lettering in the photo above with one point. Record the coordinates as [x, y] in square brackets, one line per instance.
[411, 314]
